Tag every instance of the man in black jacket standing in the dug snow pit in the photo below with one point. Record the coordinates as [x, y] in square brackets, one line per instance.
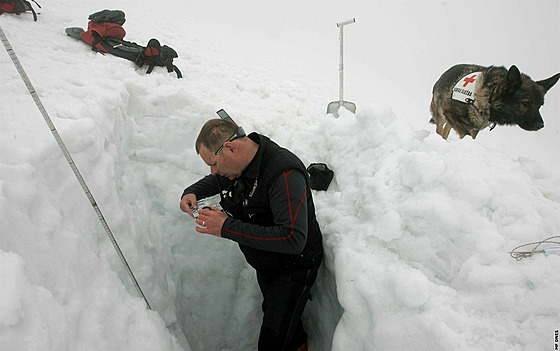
[269, 212]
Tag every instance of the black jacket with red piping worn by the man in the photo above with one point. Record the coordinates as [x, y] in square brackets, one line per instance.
[270, 209]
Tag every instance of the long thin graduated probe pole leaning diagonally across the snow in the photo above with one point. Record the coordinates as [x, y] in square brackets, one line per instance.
[39, 104]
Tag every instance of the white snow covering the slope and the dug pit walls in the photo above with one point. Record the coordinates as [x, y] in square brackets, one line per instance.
[417, 230]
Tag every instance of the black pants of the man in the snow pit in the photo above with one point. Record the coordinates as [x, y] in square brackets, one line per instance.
[285, 296]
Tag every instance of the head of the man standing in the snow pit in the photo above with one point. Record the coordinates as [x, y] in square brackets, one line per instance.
[222, 145]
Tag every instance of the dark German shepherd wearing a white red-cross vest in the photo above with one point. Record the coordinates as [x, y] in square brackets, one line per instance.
[469, 98]
